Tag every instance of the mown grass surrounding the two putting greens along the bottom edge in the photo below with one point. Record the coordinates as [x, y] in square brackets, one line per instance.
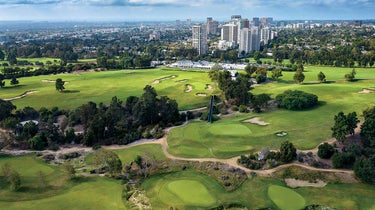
[253, 193]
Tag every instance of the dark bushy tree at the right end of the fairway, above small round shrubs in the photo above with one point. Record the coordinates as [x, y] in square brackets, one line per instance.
[344, 125]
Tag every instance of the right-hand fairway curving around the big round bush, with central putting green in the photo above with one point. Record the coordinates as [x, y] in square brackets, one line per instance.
[305, 129]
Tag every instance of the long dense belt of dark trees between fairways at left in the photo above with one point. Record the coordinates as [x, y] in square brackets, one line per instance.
[117, 123]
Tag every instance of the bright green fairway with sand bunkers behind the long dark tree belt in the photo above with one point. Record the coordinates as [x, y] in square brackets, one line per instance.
[102, 86]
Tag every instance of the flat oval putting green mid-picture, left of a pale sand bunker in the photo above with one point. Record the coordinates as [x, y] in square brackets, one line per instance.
[229, 130]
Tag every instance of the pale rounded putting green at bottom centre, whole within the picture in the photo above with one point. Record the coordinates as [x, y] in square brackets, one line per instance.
[187, 192]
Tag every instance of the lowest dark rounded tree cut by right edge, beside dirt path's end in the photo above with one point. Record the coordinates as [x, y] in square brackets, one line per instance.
[364, 168]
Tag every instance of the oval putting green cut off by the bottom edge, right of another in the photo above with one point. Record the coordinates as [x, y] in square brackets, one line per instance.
[286, 198]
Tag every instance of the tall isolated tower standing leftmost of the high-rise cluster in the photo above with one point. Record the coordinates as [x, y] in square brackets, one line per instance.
[200, 38]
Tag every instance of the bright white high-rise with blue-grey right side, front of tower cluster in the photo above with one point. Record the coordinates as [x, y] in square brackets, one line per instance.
[250, 40]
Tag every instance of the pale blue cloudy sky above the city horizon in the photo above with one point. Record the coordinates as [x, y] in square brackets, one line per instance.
[197, 10]
